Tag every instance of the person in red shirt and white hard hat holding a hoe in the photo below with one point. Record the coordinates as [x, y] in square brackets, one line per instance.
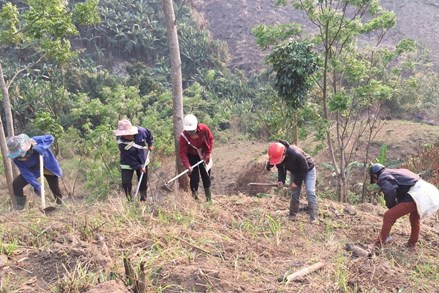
[196, 143]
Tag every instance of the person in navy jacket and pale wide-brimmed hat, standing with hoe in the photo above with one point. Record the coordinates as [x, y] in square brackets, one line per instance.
[133, 142]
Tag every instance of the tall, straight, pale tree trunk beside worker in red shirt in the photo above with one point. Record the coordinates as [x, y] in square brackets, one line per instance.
[177, 86]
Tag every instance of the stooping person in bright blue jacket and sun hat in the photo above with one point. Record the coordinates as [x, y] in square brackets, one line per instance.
[25, 152]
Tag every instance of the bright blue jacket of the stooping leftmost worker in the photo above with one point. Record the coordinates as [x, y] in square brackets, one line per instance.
[30, 168]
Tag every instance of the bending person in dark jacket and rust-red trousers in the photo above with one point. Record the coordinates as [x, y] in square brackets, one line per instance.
[395, 184]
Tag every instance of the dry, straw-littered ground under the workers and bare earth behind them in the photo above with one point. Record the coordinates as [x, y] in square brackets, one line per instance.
[240, 243]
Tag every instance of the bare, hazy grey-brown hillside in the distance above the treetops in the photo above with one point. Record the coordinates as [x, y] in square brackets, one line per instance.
[232, 21]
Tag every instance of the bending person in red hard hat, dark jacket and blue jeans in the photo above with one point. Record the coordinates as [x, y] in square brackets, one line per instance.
[302, 170]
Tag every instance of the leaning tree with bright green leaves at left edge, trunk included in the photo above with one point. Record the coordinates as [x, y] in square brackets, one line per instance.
[42, 28]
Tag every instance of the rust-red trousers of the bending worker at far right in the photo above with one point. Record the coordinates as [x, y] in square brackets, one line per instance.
[390, 217]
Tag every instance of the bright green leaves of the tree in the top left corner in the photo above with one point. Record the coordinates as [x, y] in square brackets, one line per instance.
[43, 25]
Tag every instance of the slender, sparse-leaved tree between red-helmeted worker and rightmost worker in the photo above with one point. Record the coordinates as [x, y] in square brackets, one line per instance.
[357, 78]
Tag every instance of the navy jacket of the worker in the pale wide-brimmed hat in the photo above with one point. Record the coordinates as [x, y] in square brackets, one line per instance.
[132, 156]
